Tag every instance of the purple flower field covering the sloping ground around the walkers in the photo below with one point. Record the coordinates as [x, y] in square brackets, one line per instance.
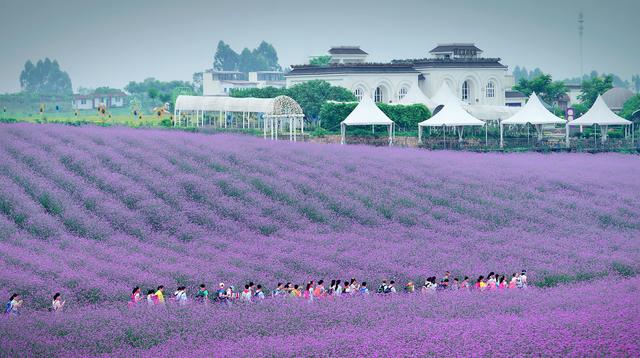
[92, 212]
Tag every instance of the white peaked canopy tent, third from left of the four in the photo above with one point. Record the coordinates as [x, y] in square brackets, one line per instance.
[533, 113]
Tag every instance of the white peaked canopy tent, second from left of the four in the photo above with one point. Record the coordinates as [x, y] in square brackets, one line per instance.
[452, 115]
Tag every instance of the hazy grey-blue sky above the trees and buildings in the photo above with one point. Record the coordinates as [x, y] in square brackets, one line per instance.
[113, 42]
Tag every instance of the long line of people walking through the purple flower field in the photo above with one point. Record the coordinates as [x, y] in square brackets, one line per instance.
[310, 291]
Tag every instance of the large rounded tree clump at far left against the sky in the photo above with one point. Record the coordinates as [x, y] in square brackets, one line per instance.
[45, 77]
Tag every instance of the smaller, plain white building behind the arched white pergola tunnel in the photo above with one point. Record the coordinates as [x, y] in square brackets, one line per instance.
[220, 83]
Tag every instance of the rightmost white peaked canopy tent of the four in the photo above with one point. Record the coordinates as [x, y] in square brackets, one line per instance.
[600, 114]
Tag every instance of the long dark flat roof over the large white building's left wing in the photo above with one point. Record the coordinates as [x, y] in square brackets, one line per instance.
[351, 68]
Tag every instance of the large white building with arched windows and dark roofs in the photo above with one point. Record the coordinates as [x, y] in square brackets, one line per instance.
[474, 79]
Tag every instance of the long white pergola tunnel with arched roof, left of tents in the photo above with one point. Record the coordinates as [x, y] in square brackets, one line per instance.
[272, 114]
